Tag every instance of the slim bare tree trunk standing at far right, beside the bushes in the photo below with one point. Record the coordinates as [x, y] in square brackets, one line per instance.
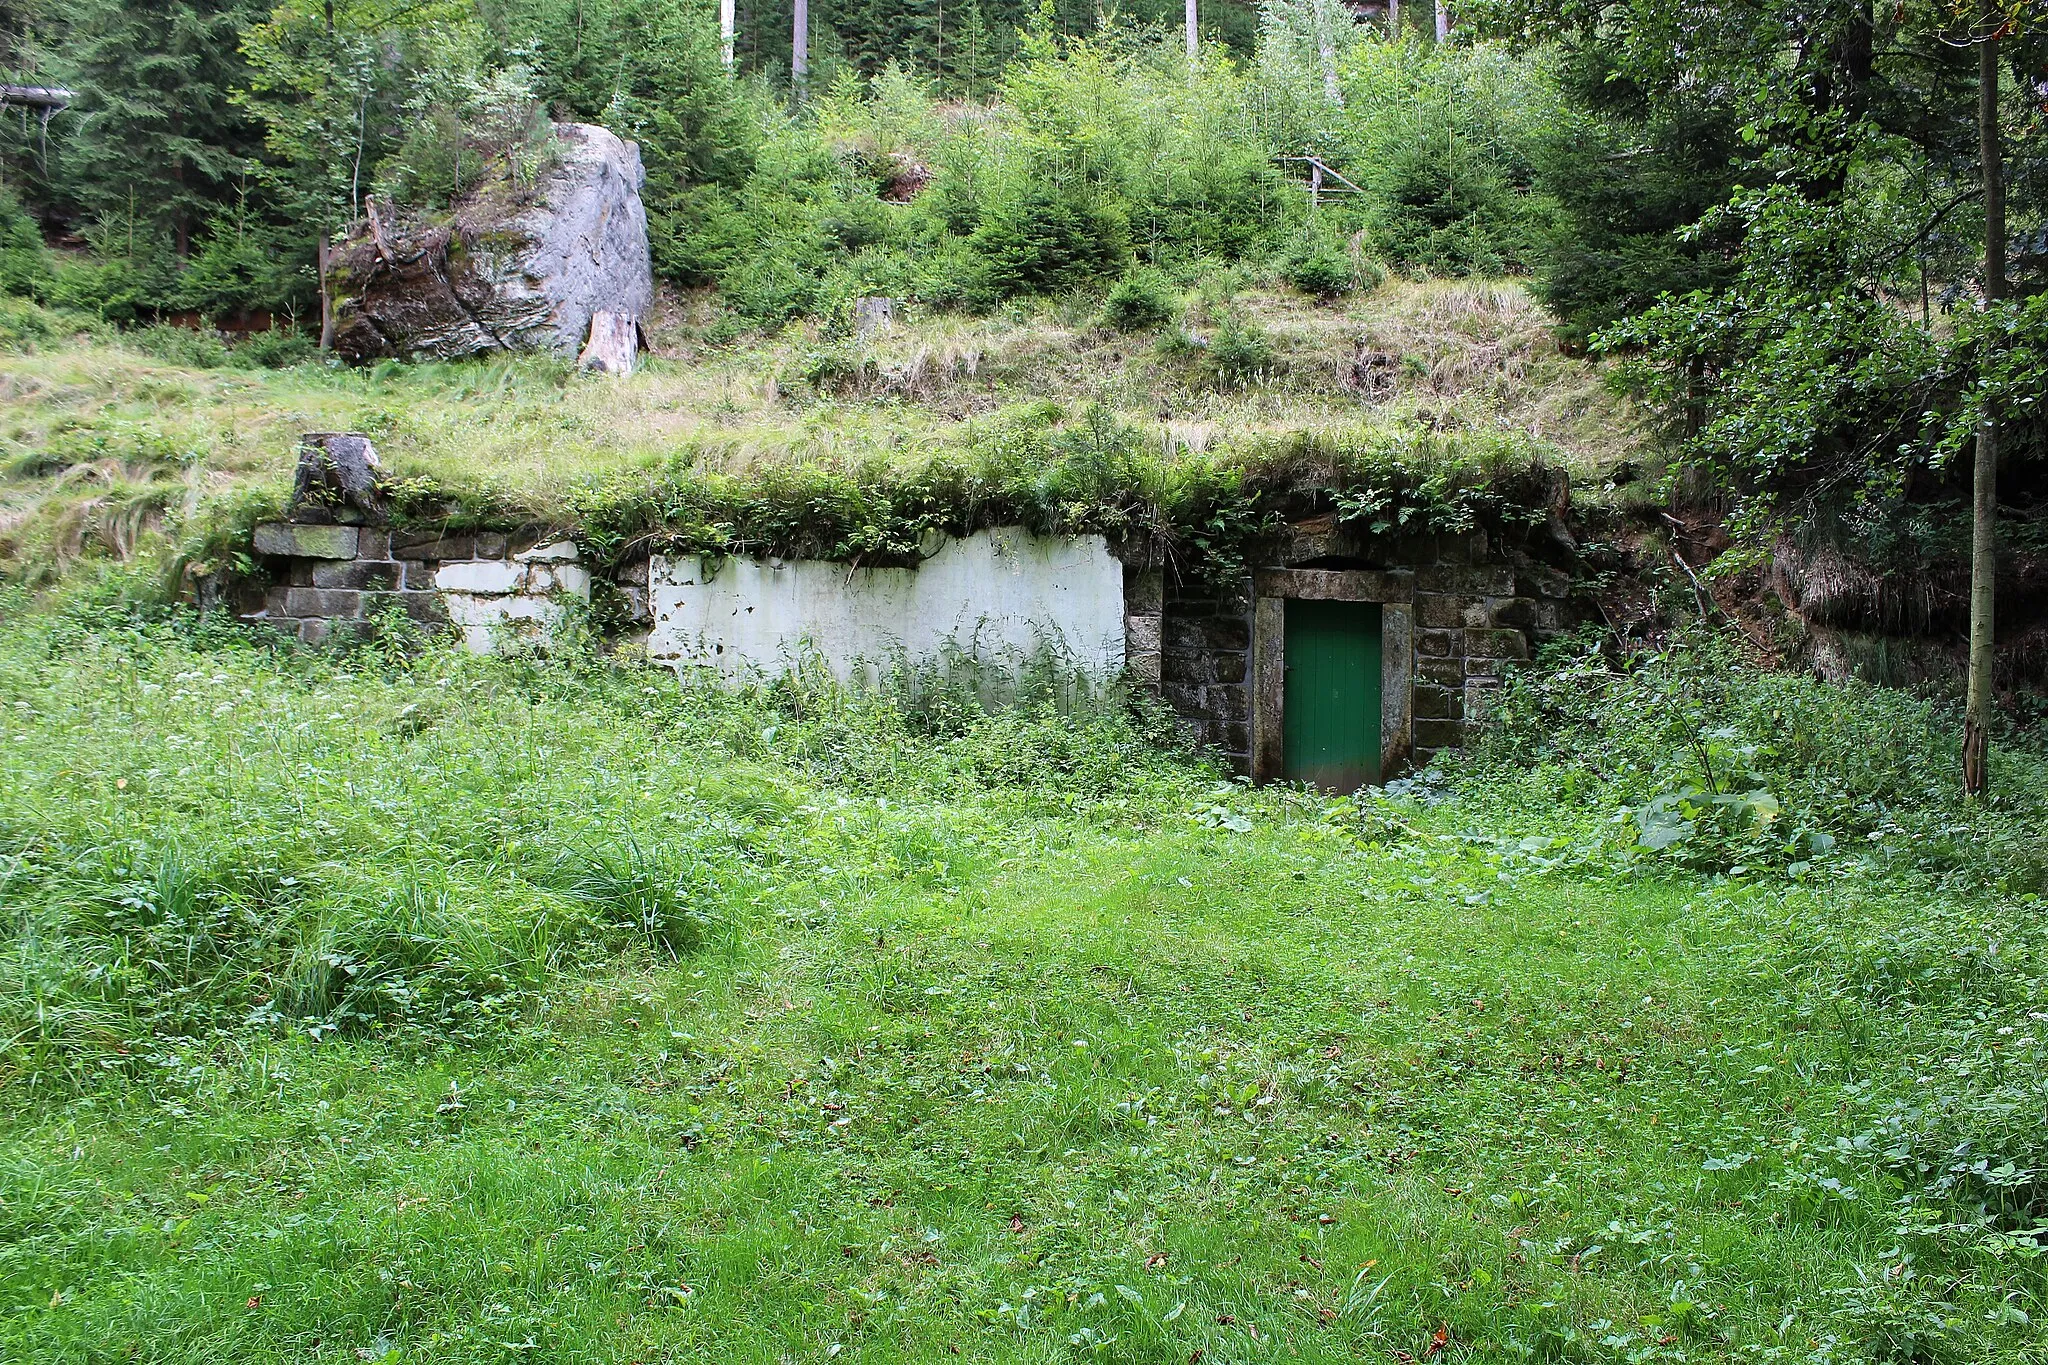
[1986, 517]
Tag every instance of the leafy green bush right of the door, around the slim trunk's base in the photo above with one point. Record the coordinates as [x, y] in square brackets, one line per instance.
[1717, 764]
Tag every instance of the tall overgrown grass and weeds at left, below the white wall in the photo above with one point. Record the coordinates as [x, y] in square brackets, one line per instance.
[208, 834]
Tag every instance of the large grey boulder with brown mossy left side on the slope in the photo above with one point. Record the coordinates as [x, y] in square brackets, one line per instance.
[507, 269]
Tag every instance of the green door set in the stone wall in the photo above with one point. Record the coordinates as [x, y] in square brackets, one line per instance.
[1330, 715]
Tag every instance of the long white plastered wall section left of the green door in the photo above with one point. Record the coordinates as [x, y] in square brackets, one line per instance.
[998, 597]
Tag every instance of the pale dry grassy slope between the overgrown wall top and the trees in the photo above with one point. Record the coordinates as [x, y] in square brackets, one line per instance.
[114, 437]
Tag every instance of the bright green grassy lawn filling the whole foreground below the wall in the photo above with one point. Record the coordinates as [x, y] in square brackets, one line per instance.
[493, 1012]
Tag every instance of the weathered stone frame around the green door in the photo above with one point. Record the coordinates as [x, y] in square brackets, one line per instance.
[1394, 590]
